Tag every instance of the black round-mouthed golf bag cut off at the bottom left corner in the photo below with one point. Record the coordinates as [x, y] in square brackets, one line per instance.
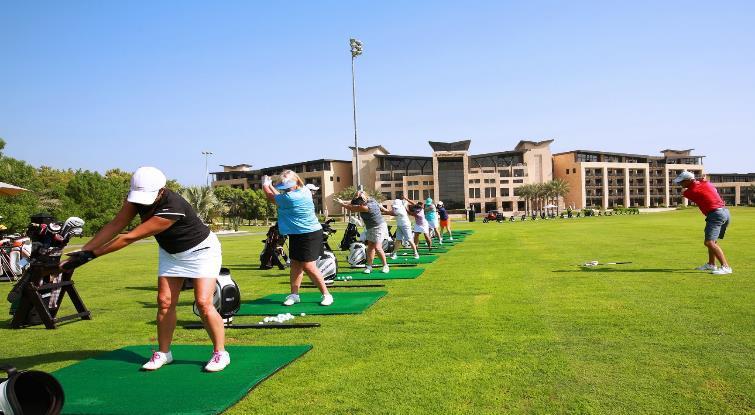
[30, 392]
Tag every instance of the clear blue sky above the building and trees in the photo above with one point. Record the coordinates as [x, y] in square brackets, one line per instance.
[106, 84]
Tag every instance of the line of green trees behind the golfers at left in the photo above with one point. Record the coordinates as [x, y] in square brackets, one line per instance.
[97, 198]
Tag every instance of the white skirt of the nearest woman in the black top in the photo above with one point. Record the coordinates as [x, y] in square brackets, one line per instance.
[201, 261]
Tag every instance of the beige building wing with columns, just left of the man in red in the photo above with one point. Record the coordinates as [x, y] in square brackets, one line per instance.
[606, 180]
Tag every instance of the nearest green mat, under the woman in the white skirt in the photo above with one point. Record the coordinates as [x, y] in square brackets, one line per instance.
[113, 383]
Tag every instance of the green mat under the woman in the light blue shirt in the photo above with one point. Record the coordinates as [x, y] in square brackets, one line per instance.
[343, 303]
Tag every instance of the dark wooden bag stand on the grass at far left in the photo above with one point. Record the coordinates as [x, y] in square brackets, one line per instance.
[42, 296]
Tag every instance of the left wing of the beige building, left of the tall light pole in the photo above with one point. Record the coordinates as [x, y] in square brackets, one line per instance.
[331, 176]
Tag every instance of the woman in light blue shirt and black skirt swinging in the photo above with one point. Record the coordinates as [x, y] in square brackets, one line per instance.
[297, 219]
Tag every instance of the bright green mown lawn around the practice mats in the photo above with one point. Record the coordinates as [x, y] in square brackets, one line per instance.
[503, 323]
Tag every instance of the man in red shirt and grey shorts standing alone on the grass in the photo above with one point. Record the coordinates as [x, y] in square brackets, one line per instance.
[717, 218]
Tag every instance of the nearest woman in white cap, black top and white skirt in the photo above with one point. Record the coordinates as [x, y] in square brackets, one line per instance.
[187, 249]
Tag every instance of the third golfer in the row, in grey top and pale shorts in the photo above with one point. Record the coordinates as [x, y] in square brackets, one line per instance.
[377, 230]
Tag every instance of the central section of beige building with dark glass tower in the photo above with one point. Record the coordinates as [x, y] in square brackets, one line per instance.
[484, 181]
